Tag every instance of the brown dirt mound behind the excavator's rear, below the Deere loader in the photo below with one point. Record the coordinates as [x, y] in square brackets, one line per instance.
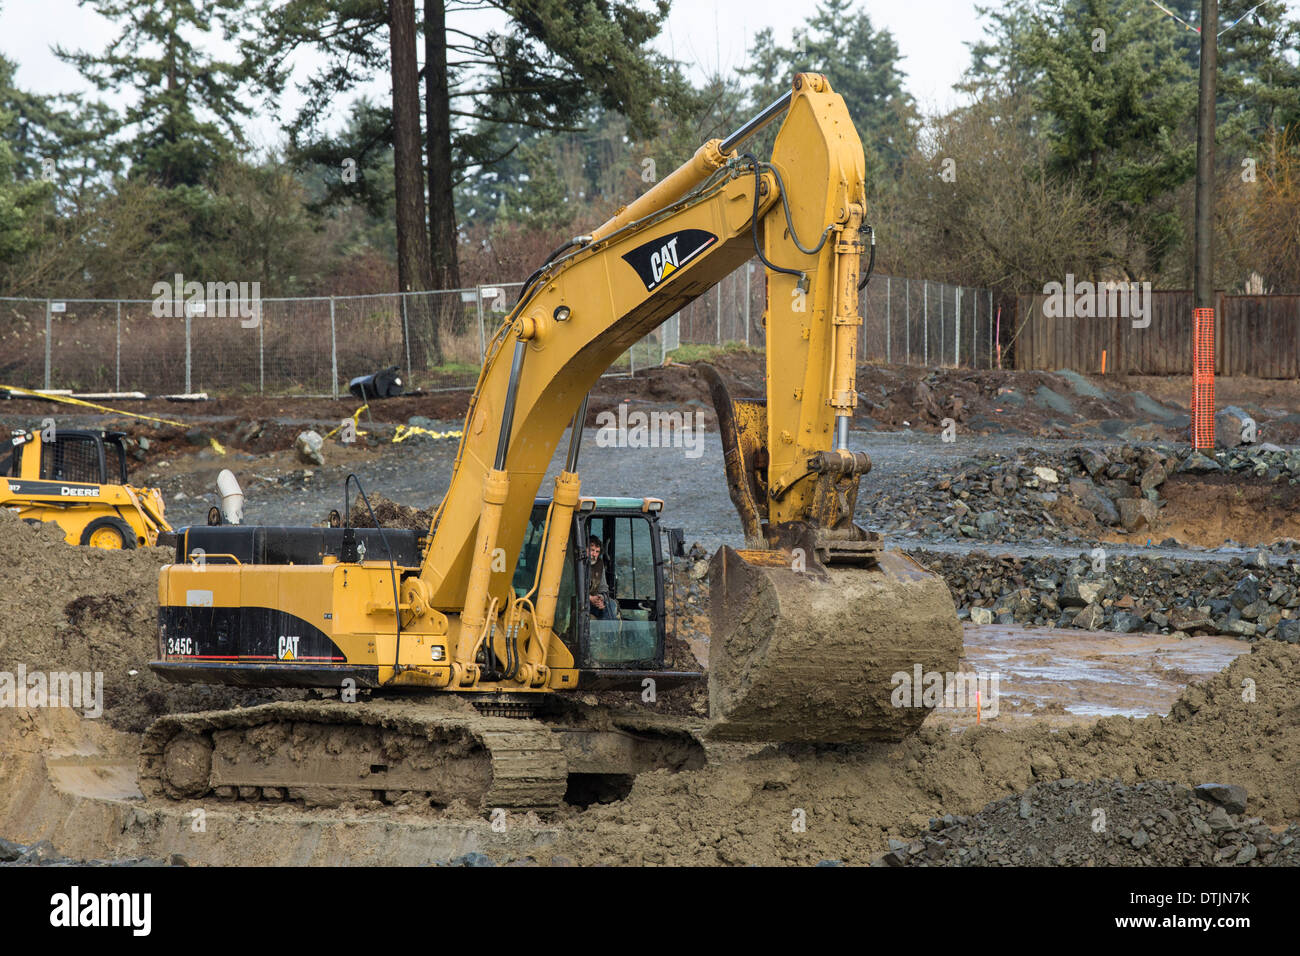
[84, 609]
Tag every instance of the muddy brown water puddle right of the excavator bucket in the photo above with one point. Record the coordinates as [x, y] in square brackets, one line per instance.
[1065, 678]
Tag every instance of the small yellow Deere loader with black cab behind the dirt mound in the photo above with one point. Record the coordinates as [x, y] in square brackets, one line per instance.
[77, 479]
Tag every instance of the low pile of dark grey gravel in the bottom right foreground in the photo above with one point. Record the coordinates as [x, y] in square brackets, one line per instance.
[1071, 824]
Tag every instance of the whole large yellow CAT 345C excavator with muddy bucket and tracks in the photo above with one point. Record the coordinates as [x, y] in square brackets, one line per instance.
[456, 654]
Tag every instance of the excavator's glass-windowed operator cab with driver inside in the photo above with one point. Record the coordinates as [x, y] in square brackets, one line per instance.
[632, 638]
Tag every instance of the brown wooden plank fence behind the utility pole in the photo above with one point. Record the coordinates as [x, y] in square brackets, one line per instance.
[1254, 335]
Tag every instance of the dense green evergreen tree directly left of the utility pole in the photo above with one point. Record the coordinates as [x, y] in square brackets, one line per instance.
[1110, 88]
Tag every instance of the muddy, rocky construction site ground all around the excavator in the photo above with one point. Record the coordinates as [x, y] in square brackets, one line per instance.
[1142, 650]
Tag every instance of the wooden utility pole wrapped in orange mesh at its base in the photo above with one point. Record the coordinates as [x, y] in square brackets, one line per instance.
[1203, 266]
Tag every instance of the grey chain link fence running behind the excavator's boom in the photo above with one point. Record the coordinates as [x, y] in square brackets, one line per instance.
[313, 347]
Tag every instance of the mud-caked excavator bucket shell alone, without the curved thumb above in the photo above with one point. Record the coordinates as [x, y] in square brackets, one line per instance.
[827, 656]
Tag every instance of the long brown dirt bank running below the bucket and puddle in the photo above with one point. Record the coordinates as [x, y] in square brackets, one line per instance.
[807, 806]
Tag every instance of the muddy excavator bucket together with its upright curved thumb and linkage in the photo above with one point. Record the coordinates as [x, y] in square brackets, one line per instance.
[816, 633]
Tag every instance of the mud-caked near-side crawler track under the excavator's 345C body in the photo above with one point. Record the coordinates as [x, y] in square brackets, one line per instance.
[323, 754]
